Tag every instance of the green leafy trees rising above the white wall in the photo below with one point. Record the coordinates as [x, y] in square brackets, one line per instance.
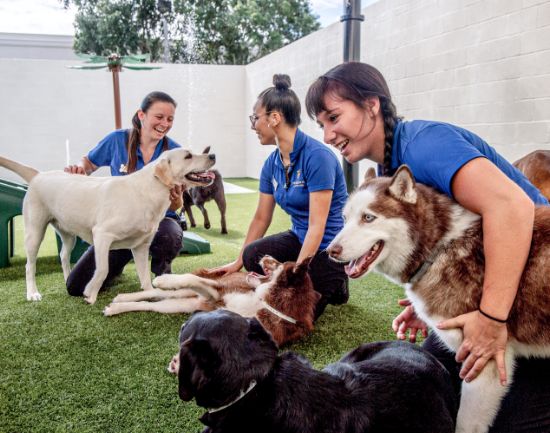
[217, 31]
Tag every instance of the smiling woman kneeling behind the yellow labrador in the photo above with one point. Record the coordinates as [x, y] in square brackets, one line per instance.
[126, 151]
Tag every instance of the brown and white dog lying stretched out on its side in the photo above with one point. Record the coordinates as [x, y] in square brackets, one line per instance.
[283, 300]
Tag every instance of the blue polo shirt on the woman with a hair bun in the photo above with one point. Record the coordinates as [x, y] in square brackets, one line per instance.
[313, 167]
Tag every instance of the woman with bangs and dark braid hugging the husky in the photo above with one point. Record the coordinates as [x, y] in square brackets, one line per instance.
[352, 103]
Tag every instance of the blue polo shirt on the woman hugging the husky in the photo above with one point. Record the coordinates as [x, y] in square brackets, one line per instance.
[435, 151]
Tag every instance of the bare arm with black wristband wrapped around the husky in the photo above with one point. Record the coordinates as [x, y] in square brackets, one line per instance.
[507, 218]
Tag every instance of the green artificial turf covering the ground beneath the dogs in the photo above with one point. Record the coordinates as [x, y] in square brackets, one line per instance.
[64, 367]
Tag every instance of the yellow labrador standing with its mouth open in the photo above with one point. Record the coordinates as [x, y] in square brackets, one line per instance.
[110, 212]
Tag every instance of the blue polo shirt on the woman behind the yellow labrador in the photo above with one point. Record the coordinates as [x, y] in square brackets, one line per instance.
[112, 152]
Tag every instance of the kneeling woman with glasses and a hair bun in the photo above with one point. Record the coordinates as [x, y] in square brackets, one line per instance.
[305, 179]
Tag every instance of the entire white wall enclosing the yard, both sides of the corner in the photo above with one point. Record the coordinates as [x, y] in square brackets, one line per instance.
[481, 64]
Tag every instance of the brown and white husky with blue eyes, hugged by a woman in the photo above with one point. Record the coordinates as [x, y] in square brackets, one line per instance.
[430, 244]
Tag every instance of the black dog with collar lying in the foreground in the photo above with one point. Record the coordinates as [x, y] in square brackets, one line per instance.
[230, 365]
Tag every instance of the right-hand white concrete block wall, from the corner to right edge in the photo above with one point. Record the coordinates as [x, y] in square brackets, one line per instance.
[481, 64]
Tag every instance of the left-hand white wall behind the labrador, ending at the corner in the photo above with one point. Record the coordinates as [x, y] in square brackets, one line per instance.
[45, 103]
